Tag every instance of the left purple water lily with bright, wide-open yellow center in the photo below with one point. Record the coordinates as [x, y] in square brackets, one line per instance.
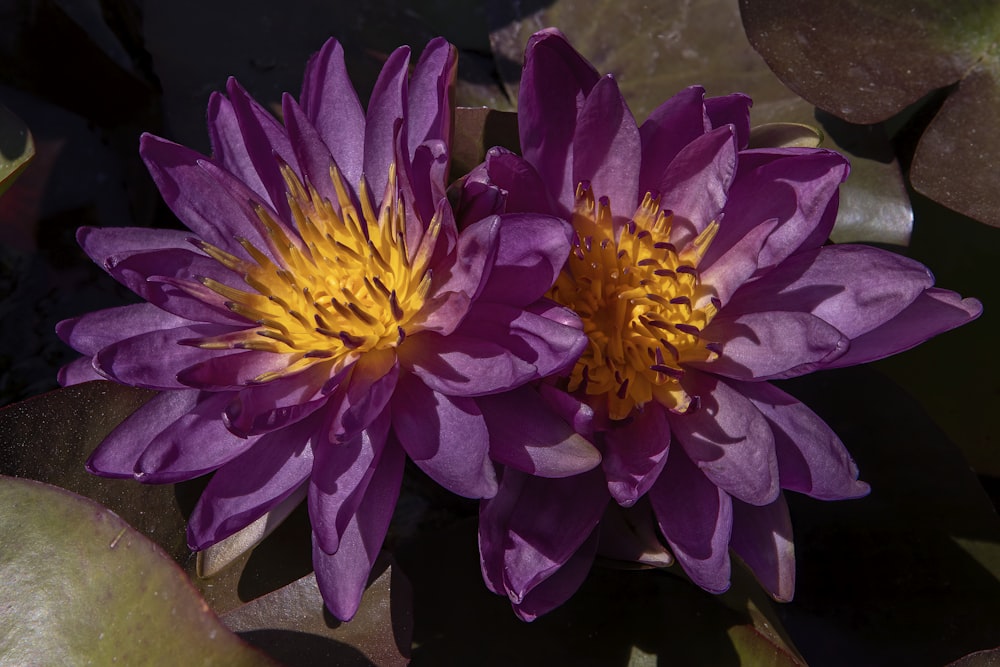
[324, 319]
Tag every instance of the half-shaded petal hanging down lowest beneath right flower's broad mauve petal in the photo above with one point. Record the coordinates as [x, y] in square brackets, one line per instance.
[696, 517]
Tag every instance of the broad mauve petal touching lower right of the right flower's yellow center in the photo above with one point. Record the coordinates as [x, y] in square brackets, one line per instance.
[729, 440]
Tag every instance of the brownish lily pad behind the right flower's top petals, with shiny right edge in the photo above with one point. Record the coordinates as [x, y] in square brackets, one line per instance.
[653, 54]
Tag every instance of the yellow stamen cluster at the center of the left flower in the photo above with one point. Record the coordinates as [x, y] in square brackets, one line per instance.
[345, 285]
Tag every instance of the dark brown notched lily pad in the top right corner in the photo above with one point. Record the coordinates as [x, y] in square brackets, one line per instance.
[866, 62]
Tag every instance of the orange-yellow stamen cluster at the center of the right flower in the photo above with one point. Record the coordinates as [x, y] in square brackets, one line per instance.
[641, 301]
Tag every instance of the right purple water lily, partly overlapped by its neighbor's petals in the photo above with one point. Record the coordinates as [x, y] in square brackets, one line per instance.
[699, 270]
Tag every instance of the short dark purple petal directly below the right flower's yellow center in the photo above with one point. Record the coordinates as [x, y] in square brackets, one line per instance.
[636, 453]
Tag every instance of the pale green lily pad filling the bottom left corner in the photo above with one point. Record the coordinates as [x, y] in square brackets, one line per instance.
[82, 587]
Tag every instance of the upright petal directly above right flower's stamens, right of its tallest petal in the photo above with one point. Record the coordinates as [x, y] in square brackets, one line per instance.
[606, 147]
